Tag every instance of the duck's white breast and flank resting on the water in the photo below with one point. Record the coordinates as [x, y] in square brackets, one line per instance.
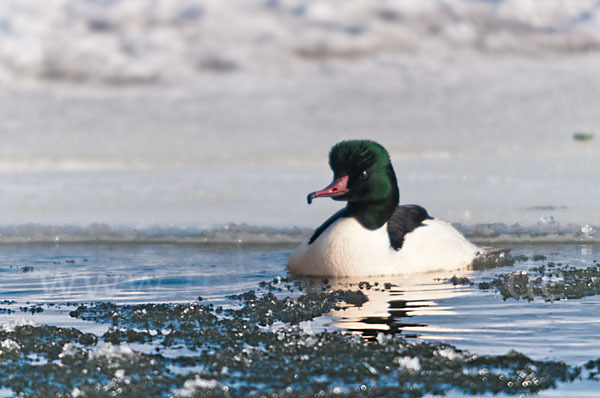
[346, 248]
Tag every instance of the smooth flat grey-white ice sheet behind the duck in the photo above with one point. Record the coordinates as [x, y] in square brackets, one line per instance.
[477, 141]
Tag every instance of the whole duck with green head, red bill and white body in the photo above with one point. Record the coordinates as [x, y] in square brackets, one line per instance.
[373, 234]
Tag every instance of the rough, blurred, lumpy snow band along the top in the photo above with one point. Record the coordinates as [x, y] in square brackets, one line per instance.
[165, 40]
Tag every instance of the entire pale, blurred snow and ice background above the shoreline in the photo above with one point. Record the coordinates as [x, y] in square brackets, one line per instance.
[200, 113]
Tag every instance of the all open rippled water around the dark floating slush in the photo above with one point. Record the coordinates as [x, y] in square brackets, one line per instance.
[43, 283]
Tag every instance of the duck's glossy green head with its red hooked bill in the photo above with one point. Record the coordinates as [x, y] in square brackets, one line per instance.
[364, 177]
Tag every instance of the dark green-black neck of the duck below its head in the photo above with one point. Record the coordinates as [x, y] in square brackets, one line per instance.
[374, 214]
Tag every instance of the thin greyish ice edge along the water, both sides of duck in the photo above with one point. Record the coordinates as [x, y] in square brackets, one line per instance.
[548, 231]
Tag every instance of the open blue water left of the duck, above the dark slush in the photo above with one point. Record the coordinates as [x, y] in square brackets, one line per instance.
[135, 273]
